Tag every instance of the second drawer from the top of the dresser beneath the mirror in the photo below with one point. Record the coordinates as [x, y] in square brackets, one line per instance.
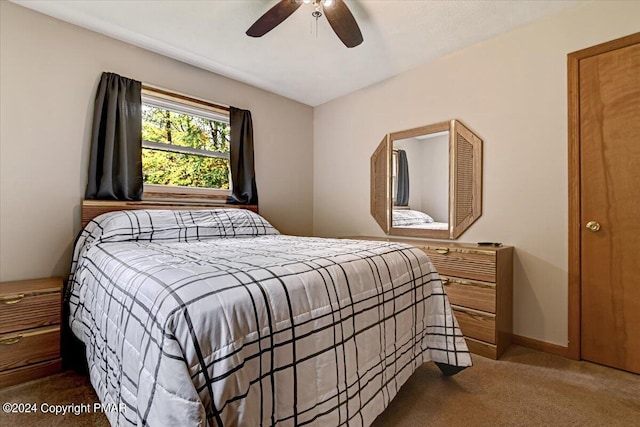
[471, 293]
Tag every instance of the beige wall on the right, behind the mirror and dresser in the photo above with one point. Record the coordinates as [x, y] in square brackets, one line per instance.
[512, 92]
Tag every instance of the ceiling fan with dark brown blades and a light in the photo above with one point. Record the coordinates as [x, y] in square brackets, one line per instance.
[336, 11]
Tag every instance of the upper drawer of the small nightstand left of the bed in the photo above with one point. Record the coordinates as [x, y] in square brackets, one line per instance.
[29, 310]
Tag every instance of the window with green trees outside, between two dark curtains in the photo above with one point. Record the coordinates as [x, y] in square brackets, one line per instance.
[185, 147]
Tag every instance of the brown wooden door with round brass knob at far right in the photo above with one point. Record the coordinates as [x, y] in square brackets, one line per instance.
[609, 209]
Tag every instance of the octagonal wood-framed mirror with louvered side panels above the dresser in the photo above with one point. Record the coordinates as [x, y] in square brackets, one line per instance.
[427, 181]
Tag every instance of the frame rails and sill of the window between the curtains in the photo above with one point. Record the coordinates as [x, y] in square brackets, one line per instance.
[180, 103]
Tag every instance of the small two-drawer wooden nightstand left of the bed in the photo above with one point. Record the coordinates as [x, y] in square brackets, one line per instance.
[30, 313]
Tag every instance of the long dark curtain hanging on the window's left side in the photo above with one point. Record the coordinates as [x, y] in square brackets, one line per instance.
[115, 163]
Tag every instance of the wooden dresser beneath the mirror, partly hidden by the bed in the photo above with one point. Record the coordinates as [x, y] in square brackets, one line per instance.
[479, 283]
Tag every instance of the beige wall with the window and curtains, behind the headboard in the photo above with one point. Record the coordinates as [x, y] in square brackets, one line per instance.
[49, 73]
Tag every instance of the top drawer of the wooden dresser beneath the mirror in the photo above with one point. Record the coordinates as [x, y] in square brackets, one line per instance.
[474, 264]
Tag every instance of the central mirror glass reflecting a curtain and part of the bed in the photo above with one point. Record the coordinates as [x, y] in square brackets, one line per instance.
[420, 182]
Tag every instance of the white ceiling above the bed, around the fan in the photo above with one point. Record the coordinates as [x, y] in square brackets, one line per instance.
[291, 60]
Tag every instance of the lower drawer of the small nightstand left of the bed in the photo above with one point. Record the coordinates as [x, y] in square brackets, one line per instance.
[24, 348]
